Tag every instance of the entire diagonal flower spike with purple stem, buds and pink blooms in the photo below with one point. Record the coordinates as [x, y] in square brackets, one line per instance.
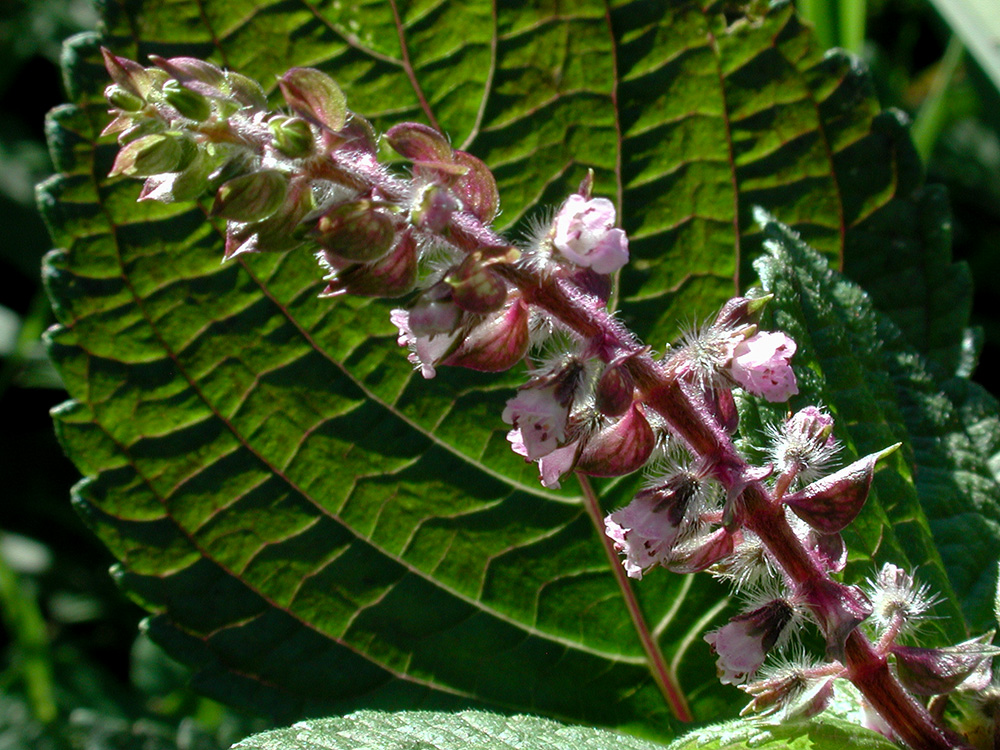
[595, 401]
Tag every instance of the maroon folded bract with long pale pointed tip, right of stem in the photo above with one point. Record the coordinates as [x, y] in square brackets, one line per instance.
[831, 503]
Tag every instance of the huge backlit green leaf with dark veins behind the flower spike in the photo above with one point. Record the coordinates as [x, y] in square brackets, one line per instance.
[315, 526]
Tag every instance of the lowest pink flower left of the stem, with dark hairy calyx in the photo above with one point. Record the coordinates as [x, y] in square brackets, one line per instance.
[743, 643]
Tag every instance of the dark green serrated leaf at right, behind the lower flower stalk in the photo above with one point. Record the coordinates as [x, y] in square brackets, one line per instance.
[882, 391]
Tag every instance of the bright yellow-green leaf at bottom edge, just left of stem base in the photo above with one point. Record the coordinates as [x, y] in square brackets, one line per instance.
[822, 733]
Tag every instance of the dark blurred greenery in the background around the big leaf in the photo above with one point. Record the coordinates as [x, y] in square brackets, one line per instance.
[75, 672]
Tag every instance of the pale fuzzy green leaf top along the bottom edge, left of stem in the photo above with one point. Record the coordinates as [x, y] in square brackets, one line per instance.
[427, 730]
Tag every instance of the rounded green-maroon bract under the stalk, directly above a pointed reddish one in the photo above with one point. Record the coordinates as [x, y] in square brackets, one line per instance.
[358, 231]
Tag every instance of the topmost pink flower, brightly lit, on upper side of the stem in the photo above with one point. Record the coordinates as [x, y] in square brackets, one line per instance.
[585, 234]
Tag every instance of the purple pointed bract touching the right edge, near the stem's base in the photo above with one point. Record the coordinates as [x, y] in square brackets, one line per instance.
[933, 671]
